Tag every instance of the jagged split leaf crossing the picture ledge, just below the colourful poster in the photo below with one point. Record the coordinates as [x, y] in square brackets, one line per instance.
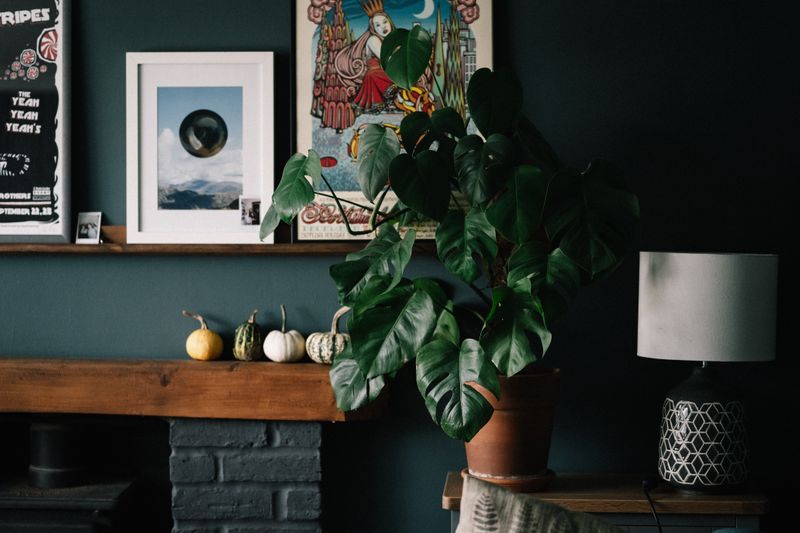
[387, 252]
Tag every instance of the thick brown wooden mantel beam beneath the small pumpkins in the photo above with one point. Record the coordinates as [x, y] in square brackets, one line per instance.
[172, 388]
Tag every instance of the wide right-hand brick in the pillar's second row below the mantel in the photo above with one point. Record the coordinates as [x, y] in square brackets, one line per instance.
[263, 466]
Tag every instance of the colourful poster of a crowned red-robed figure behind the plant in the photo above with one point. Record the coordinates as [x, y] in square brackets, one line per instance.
[341, 87]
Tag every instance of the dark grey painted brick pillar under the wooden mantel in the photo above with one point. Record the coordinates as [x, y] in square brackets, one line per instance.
[245, 476]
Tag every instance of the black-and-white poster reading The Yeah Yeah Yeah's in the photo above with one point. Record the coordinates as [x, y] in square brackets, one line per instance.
[33, 188]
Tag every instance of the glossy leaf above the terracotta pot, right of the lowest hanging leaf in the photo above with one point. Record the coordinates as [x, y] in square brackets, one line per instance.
[513, 316]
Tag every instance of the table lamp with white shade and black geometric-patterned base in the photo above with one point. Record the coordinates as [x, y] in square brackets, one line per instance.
[708, 308]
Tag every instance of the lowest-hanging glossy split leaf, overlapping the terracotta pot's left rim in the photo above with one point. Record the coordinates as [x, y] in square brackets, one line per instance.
[443, 374]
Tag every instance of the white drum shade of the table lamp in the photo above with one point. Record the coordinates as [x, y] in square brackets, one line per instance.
[707, 307]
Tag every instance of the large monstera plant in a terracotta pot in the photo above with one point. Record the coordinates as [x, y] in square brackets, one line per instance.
[508, 211]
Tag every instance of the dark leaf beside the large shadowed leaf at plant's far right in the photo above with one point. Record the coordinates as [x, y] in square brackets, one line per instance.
[517, 212]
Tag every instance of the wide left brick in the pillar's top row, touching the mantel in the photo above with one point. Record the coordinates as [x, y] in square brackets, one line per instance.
[189, 432]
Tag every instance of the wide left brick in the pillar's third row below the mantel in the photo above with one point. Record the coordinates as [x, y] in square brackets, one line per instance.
[220, 502]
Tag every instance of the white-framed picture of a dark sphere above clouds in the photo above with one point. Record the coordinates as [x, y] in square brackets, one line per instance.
[175, 195]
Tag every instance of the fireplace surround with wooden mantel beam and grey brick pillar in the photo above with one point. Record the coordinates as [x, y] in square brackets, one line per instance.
[244, 438]
